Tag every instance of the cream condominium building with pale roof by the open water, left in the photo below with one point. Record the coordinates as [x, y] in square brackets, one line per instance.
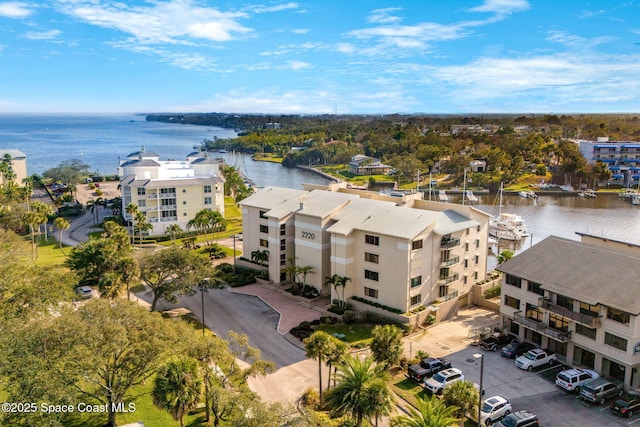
[170, 191]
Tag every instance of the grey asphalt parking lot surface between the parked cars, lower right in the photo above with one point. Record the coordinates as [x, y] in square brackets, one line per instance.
[534, 391]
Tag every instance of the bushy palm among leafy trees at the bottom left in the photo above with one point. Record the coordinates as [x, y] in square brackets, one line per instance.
[178, 387]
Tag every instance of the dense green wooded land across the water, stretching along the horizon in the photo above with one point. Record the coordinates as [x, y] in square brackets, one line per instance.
[511, 145]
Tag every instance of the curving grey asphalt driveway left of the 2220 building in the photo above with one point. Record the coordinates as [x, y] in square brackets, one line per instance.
[228, 311]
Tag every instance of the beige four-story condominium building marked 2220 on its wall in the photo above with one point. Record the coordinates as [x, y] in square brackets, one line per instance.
[401, 252]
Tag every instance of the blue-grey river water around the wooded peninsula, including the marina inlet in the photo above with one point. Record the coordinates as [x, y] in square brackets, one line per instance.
[100, 140]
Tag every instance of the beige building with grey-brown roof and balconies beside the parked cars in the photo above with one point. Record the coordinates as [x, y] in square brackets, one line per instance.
[579, 299]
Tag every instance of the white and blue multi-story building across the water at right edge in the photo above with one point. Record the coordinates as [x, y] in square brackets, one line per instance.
[622, 158]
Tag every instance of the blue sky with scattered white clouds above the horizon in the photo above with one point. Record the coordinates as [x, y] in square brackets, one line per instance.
[349, 56]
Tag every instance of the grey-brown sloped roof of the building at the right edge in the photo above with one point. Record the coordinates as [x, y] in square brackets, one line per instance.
[587, 273]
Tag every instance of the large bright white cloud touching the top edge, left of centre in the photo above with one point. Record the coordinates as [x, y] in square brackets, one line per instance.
[172, 22]
